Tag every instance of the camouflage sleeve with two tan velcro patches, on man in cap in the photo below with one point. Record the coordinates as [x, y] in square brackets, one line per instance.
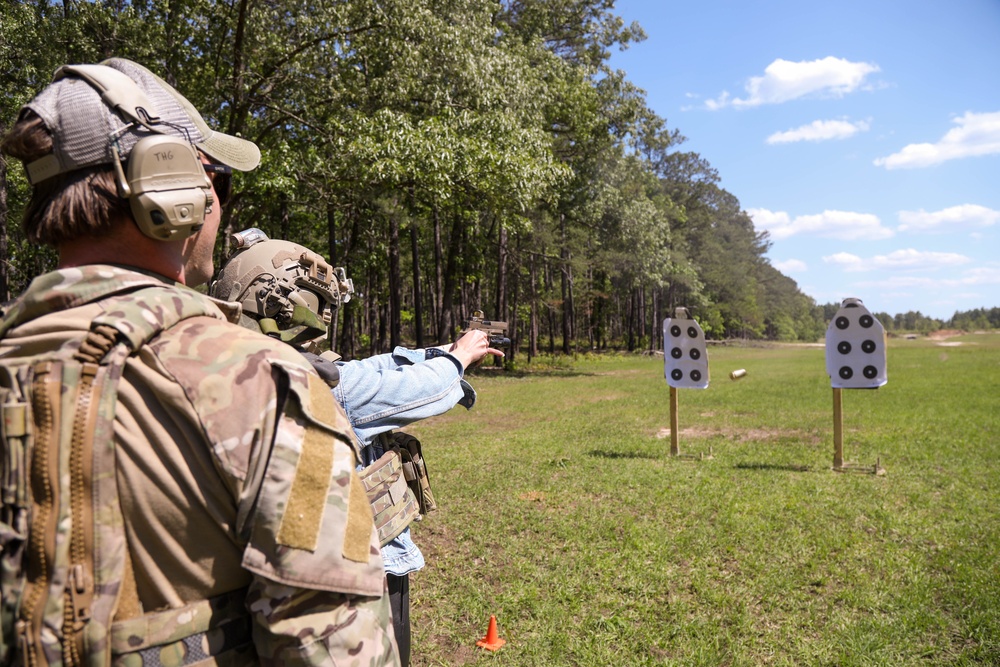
[318, 595]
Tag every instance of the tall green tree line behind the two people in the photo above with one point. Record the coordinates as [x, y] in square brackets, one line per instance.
[452, 155]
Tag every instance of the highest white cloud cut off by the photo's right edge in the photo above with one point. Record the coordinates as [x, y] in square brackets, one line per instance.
[975, 134]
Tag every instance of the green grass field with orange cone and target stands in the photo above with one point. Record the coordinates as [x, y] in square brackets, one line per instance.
[563, 514]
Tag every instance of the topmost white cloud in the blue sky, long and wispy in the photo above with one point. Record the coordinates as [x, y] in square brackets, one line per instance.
[784, 80]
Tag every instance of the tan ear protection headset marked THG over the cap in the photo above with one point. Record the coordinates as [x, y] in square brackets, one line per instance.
[165, 181]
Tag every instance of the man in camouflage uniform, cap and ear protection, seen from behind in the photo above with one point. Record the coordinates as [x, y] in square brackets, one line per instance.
[215, 516]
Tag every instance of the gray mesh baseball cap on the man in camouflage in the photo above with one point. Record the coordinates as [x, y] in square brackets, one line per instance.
[87, 108]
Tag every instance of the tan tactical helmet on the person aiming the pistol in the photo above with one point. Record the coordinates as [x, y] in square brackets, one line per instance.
[287, 289]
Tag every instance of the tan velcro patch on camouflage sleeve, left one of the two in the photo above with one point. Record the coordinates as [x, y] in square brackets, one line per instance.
[300, 524]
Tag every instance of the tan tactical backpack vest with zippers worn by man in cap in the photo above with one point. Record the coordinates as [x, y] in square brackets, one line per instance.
[68, 592]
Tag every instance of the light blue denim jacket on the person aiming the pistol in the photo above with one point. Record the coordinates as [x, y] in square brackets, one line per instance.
[389, 391]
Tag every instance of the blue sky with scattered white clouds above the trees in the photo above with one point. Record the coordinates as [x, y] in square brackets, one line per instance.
[863, 135]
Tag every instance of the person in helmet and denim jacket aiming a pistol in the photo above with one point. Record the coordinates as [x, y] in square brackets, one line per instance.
[290, 293]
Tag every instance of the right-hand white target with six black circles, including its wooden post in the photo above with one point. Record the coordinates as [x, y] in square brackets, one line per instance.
[855, 359]
